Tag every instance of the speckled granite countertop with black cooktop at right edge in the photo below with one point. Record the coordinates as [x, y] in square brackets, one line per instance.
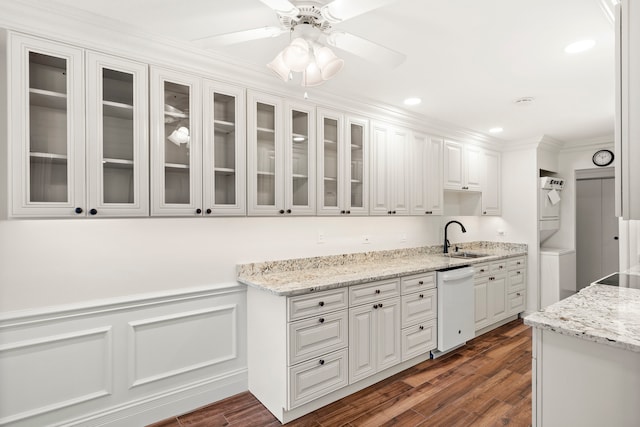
[601, 313]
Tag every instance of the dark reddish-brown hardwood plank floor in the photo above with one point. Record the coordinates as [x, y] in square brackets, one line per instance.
[485, 383]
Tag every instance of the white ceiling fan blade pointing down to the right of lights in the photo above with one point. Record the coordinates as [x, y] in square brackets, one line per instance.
[368, 50]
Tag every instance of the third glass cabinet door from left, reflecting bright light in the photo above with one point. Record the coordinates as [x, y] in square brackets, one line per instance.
[176, 154]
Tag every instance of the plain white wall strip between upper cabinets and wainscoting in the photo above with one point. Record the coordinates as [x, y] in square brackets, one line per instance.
[51, 262]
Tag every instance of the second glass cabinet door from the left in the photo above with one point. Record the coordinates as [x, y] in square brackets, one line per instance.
[117, 134]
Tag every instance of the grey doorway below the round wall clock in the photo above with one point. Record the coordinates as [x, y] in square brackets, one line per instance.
[597, 249]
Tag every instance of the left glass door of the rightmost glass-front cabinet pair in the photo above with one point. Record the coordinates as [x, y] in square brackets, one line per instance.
[330, 150]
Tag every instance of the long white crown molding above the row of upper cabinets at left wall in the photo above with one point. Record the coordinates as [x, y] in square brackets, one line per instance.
[87, 30]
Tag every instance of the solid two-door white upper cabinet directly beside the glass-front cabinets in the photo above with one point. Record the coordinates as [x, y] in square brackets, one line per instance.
[390, 168]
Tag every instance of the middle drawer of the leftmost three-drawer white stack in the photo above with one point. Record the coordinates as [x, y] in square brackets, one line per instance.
[318, 335]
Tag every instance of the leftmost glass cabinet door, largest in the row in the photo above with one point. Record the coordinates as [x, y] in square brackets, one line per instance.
[47, 128]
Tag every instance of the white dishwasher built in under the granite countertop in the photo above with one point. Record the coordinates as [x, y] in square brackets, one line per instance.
[456, 319]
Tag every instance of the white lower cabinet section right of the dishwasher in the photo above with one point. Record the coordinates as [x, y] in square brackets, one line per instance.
[499, 291]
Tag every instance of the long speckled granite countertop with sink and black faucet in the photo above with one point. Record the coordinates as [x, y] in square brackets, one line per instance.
[304, 275]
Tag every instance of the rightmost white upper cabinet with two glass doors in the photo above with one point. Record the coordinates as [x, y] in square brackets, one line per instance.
[342, 186]
